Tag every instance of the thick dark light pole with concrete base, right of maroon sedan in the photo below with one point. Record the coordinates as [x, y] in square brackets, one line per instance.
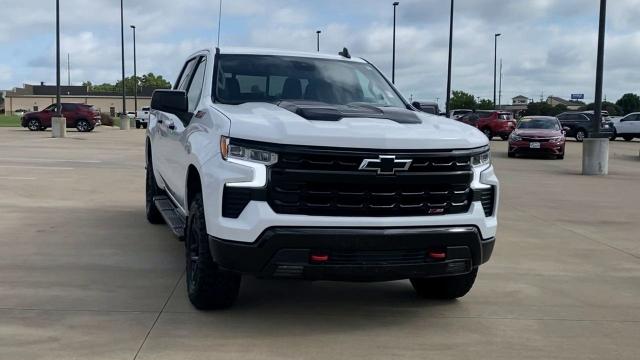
[595, 150]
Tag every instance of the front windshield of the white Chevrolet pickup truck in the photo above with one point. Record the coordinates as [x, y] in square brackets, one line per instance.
[259, 78]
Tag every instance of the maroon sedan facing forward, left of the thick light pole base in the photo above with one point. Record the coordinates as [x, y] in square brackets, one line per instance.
[537, 135]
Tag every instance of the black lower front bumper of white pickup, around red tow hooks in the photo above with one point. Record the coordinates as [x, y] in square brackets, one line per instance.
[356, 254]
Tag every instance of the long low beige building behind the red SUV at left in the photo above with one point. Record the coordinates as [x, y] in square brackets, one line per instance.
[38, 97]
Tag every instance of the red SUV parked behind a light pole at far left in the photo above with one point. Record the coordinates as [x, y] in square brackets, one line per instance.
[80, 116]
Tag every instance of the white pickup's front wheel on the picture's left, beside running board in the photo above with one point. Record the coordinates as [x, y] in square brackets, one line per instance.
[208, 286]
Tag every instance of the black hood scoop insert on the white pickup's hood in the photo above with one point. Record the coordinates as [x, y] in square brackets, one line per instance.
[313, 110]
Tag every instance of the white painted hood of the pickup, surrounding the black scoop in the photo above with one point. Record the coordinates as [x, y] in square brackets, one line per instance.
[271, 123]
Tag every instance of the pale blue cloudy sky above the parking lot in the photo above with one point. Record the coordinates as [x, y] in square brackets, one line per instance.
[548, 47]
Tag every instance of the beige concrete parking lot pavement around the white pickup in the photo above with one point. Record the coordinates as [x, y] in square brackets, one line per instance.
[83, 275]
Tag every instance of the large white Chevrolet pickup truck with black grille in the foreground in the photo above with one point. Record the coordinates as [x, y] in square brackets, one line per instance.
[308, 166]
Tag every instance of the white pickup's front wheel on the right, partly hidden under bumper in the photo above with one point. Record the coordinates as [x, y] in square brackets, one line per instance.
[445, 288]
